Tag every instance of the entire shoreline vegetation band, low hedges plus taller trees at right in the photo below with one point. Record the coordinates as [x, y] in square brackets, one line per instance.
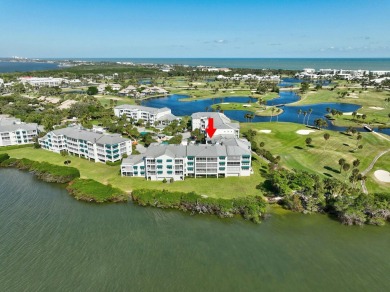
[295, 190]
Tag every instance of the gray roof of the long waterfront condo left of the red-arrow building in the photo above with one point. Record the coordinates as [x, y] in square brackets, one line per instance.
[92, 137]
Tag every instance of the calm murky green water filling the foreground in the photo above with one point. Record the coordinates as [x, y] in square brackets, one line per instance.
[49, 242]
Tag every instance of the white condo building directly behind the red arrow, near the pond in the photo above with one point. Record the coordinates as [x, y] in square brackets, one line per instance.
[222, 123]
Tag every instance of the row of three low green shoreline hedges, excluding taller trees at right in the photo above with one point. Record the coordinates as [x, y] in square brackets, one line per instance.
[89, 190]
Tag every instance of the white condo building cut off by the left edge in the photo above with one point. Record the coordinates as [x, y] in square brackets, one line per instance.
[14, 132]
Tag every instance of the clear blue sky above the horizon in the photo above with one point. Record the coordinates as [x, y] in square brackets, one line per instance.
[195, 29]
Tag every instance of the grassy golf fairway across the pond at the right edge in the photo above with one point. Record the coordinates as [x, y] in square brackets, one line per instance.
[373, 104]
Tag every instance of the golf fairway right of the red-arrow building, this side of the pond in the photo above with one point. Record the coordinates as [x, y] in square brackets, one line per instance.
[322, 156]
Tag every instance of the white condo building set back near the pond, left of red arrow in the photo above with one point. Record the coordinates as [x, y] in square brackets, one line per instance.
[148, 114]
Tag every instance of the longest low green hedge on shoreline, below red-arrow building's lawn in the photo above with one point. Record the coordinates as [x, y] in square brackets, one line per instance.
[251, 208]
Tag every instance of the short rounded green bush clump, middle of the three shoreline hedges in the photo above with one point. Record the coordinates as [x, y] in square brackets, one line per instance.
[90, 190]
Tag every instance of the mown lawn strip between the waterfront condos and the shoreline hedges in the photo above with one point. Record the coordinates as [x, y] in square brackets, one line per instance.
[221, 188]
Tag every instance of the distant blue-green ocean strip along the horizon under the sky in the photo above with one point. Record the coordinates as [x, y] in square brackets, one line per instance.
[260, 63]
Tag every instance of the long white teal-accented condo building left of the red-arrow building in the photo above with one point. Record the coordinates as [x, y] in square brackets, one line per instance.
[87, 144]
